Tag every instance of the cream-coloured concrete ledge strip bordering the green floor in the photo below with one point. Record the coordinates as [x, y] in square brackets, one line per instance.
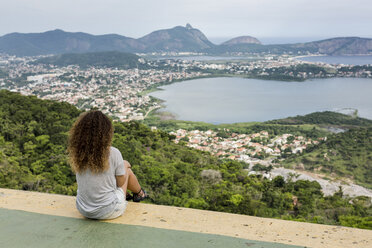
[192, 220]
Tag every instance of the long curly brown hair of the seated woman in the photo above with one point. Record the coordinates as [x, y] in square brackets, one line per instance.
[89, 142]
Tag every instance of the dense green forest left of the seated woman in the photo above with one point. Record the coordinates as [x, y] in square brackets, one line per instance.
[33, 136]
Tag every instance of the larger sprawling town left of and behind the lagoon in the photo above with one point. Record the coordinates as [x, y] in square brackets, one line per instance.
[122, 93]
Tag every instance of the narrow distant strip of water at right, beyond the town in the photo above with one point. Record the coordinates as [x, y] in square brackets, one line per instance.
[346, 60]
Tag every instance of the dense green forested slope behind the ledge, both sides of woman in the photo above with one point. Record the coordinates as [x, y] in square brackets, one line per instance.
[33, 156]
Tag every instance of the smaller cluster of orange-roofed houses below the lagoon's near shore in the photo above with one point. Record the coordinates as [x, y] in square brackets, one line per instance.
[250, 148]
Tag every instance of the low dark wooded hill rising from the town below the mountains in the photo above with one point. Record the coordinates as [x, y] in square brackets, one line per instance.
[97, 59]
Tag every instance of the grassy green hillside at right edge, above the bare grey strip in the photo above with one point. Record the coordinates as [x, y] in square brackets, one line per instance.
[347, 154]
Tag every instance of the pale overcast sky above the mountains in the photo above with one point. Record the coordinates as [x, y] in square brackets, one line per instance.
[215, 18]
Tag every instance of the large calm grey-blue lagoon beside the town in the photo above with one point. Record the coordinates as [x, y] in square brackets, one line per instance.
[229, 100]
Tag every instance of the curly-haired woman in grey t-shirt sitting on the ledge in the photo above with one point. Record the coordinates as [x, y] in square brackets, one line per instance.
[102, 175]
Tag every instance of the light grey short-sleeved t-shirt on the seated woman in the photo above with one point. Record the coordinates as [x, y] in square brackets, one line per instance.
[96, 192]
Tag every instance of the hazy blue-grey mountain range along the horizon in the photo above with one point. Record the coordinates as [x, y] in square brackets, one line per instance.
[177, 39]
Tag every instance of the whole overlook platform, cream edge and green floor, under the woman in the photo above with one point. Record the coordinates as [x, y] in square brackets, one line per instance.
[31, 219]
